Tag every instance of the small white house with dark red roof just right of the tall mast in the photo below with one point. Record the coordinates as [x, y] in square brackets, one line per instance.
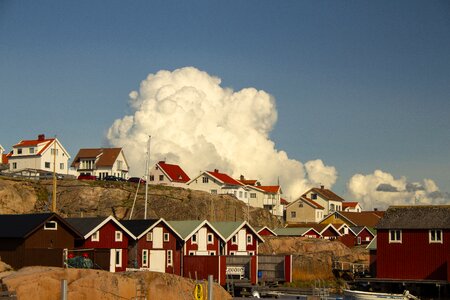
[168, 174]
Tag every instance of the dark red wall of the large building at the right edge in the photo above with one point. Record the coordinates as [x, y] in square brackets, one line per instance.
[413, 258]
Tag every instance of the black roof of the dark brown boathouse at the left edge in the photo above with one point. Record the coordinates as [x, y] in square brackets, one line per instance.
[23, 225]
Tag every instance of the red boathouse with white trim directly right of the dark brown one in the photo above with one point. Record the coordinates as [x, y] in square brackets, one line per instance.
[108, 238]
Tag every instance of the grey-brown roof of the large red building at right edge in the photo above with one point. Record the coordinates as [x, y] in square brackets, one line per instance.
[416, 217]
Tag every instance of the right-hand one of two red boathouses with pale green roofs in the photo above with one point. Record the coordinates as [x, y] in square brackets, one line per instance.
[240, 238]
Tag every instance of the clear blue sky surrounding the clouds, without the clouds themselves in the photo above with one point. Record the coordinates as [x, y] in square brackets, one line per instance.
[361, 85]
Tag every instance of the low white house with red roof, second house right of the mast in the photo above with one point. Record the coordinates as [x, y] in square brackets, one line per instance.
[218, 183]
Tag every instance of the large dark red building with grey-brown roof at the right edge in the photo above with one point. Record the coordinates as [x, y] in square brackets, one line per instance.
[413, 242]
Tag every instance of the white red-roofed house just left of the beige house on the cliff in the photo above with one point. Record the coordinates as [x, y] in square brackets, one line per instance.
[268, 197]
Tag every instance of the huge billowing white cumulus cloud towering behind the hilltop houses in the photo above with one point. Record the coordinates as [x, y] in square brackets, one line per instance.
[197, 123]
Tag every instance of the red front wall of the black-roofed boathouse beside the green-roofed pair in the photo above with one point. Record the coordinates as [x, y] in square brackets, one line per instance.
[174, 244]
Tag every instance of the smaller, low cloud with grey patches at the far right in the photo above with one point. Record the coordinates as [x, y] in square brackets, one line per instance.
[381, 189]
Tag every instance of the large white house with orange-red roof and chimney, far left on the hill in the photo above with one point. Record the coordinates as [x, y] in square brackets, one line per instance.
[41, 154]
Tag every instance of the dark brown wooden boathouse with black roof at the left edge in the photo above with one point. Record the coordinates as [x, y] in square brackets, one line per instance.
[35, 239]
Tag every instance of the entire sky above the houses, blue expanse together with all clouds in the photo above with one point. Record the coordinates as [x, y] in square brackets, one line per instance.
[354, 95]
